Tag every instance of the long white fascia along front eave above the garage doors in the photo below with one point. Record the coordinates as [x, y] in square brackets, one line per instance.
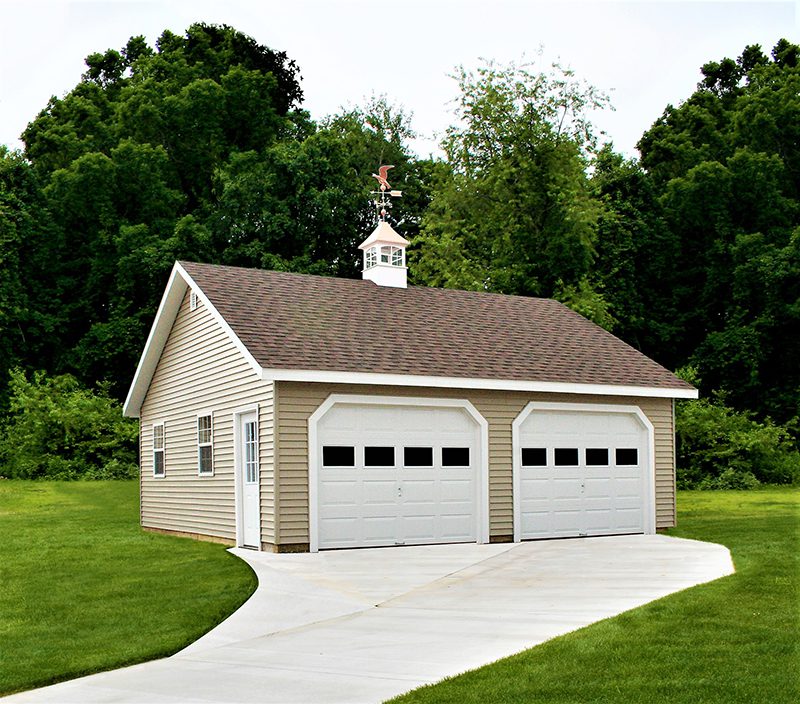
[448, 382]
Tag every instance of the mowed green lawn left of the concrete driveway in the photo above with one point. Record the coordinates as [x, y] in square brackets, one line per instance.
[84, 589]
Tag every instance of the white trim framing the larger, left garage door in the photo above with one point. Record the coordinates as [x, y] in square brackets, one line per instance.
[358, 399]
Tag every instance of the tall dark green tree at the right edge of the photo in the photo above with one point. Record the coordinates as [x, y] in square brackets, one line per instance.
[726, 166]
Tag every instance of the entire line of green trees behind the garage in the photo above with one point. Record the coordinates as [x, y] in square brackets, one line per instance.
[198, 148]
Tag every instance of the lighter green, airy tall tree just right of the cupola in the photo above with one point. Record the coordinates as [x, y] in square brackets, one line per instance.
[511, 210]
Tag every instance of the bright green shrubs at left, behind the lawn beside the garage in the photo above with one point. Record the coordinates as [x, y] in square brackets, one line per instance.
[58, 429]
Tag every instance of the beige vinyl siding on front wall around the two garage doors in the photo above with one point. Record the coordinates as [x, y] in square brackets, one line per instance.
[296, 401]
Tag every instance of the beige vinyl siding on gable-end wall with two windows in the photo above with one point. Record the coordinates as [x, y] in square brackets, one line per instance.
[202, 370]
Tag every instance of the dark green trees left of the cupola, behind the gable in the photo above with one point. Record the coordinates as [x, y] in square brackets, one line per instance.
[194, 150]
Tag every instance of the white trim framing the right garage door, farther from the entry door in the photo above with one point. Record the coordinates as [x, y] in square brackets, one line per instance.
[649, 515]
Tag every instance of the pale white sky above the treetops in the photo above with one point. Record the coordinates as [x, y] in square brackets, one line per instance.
[645, 54]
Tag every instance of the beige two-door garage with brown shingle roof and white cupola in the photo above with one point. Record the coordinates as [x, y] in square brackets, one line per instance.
[290, 412]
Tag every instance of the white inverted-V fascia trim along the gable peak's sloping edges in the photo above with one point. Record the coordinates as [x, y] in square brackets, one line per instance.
[179, 281]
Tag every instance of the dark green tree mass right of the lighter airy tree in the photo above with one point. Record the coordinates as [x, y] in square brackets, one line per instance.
[697, 252]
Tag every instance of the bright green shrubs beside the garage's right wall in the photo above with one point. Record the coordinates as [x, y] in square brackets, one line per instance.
[718, 448]
